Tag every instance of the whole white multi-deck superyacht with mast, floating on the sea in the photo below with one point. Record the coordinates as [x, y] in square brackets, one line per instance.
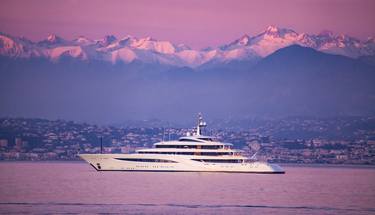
[192, 153]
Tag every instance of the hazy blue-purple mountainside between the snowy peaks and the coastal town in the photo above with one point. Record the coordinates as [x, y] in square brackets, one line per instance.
[291, 81]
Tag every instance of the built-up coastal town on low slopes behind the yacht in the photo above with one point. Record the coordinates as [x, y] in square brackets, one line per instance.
[341, 141]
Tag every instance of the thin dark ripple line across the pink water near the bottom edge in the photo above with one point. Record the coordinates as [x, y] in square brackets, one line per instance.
[191, 206]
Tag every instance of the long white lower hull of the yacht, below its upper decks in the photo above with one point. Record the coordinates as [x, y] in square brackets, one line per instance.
[174, 163]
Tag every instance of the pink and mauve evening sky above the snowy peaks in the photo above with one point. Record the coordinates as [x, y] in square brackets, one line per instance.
[197, 23]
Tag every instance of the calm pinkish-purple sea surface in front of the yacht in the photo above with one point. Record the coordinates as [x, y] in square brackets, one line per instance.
[76, 188]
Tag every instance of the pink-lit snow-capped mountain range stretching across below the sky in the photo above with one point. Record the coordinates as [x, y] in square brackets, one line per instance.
[149, 50]
